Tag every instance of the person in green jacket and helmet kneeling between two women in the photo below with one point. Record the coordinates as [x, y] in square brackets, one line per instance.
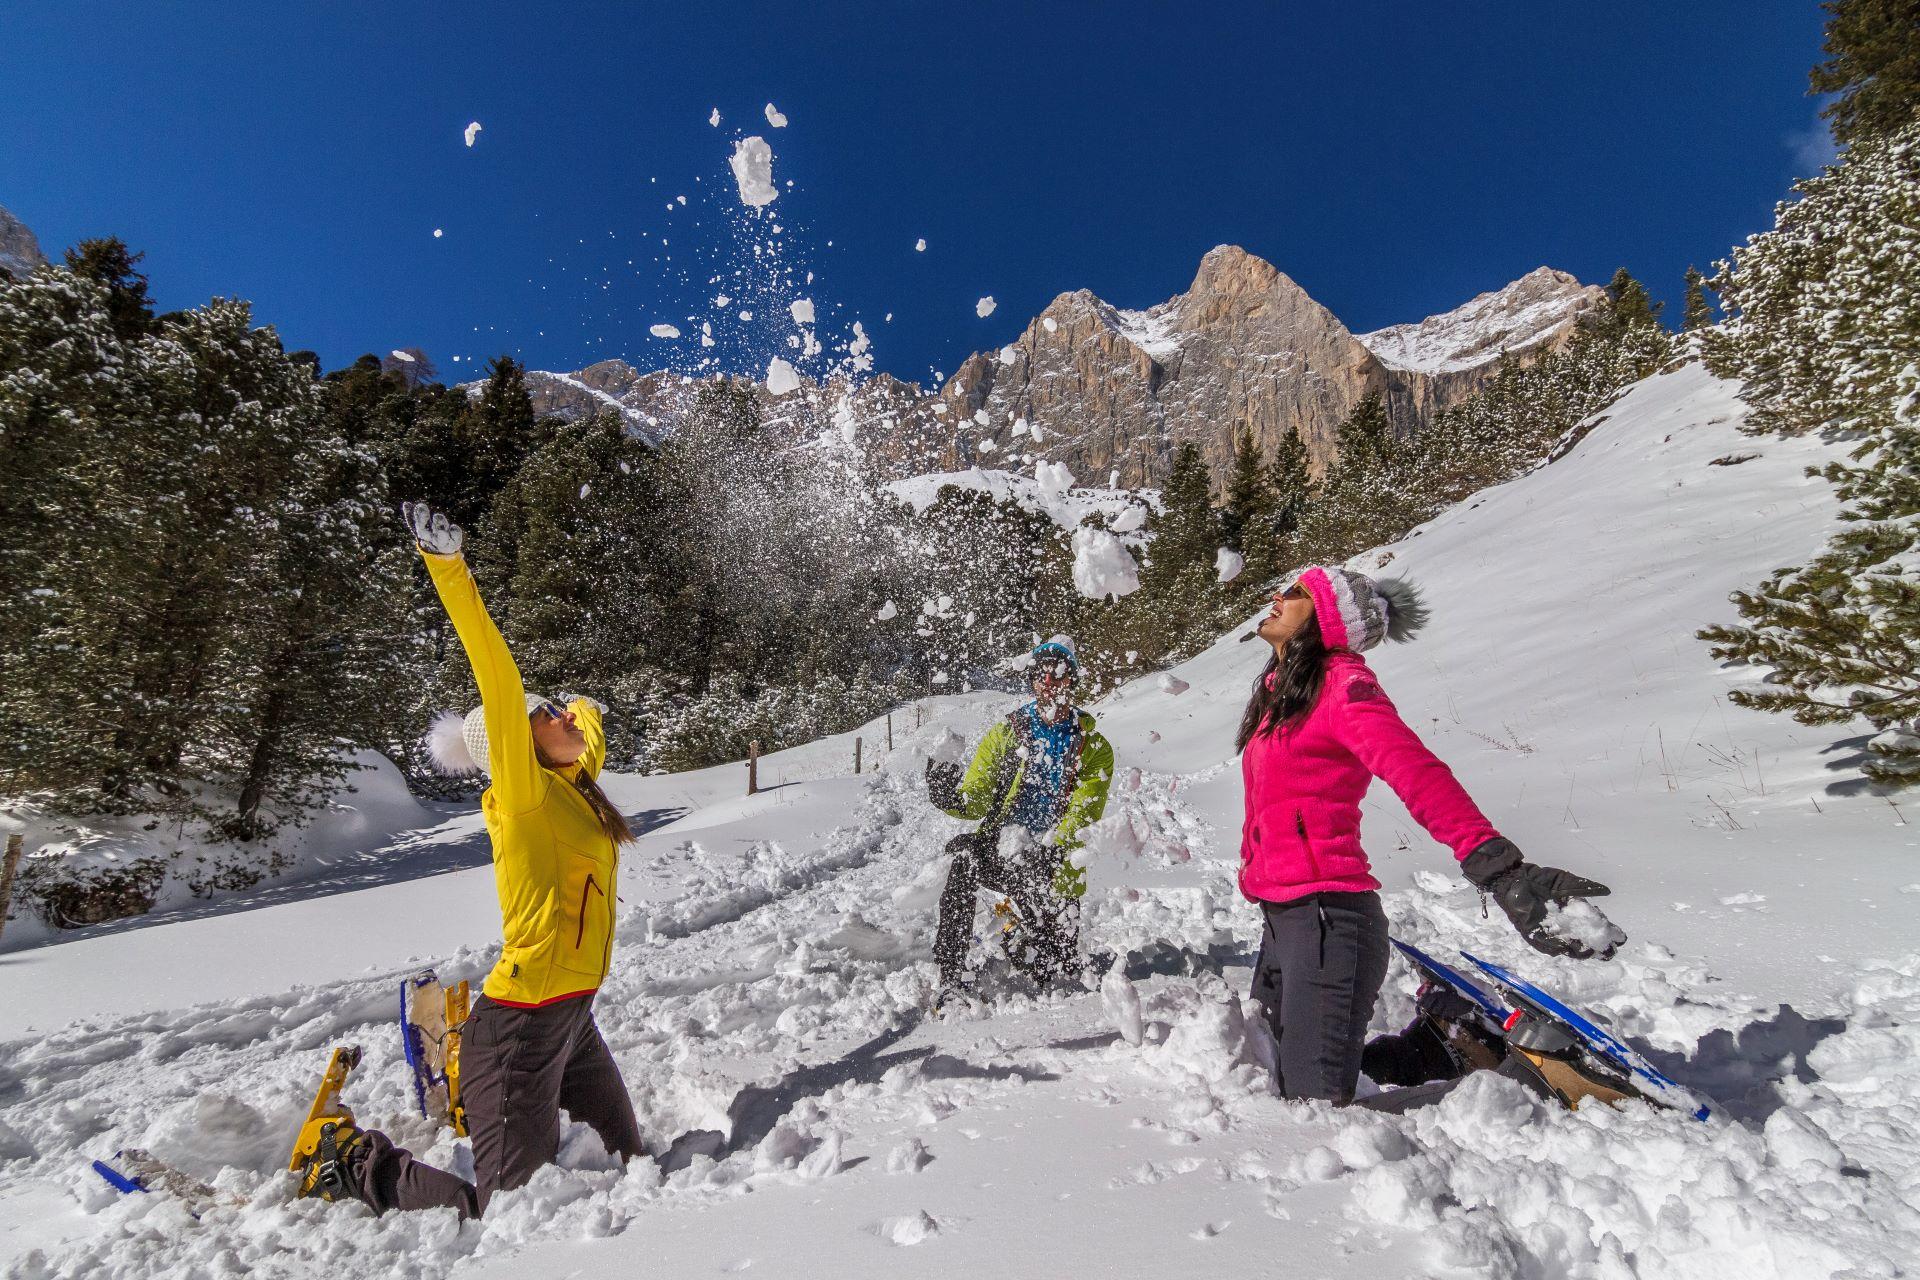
[1036, 782]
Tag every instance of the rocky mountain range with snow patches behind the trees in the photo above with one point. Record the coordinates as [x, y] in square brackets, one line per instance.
[1113, 394]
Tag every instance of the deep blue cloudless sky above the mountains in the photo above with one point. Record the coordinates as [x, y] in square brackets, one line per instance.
[1395, 158]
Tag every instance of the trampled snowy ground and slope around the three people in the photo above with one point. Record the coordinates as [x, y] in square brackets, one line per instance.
[773, 964]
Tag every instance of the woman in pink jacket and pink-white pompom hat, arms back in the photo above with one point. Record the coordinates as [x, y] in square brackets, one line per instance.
[1316, 734]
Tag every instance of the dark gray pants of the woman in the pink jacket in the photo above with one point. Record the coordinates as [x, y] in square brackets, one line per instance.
[1320, 970]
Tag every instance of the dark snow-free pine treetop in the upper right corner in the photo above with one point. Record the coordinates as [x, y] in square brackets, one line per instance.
[1873, 64]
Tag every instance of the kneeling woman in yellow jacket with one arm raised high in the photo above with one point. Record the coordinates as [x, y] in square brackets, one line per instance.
[531, 1045]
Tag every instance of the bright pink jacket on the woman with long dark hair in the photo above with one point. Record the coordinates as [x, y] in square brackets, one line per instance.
[1305, 788]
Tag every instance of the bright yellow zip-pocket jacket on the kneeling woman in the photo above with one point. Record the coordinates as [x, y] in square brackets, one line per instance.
[554, 866]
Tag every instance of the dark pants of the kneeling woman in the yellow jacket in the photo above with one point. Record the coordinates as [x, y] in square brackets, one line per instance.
[519, 1068]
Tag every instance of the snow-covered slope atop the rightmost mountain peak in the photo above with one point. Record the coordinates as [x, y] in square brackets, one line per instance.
[1518, 318]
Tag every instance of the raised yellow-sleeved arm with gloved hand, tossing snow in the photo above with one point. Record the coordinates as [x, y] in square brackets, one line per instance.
[519, 782]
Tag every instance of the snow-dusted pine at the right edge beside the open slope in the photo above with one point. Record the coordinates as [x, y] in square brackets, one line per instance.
[1823, 331]
